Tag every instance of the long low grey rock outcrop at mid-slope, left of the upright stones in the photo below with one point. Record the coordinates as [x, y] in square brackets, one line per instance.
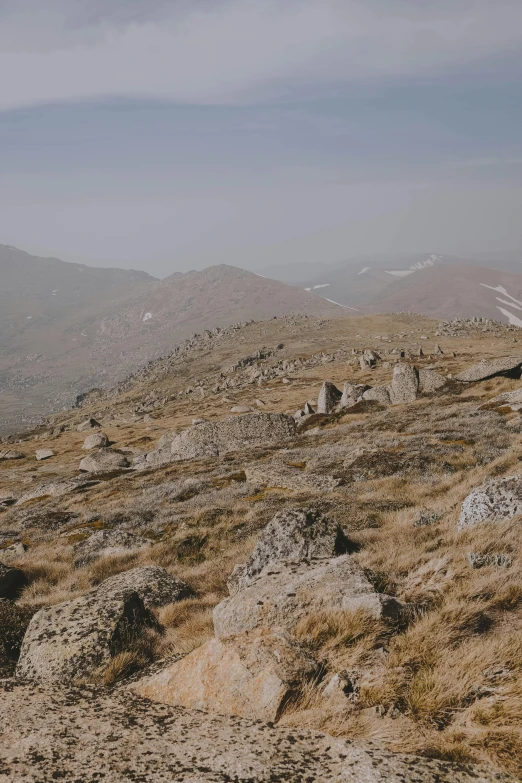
[212, 439]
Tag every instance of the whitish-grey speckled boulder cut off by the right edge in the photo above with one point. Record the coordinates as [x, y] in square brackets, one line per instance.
[494, 501]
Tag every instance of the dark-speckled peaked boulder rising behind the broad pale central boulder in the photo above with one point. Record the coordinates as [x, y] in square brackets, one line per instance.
[296, 535]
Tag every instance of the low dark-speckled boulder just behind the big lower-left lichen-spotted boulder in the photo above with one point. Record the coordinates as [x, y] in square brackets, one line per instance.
[153, 584]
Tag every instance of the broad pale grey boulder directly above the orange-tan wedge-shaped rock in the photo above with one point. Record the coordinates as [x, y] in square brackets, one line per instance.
[283, 593]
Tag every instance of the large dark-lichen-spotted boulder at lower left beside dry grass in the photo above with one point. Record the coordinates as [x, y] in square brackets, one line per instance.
[72, 640]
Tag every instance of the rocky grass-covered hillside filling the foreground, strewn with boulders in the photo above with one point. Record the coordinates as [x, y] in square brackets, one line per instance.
[289, 549]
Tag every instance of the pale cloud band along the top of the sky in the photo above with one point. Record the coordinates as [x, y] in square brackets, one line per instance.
[239, 51]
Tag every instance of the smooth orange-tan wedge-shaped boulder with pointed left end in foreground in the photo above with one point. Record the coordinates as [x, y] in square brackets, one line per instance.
[252, 675]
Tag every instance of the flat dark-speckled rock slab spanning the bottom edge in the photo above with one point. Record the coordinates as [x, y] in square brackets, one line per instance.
[84, 734]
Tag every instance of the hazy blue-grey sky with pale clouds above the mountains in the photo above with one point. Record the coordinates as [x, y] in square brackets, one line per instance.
[169, 135]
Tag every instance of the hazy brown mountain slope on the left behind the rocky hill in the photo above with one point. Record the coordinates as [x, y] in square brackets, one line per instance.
[66, 328]
